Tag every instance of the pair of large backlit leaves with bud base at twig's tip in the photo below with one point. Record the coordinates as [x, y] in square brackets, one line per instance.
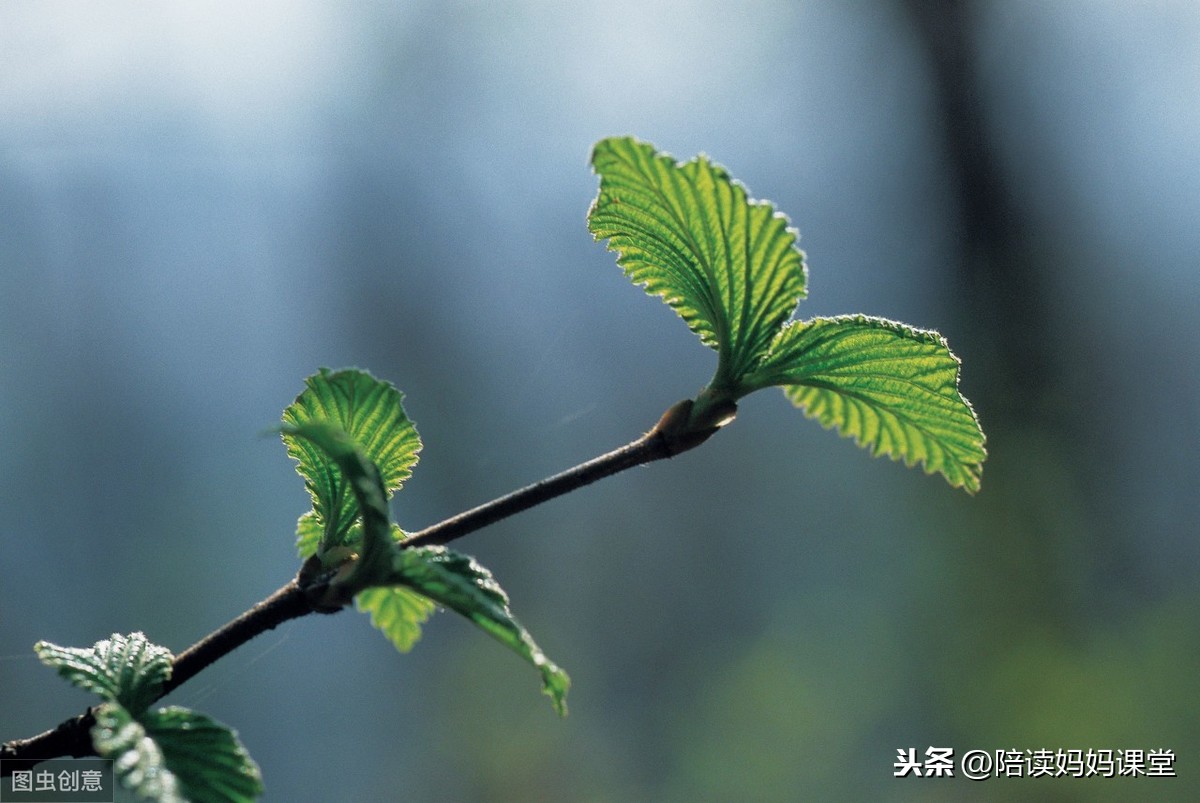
[730, 267]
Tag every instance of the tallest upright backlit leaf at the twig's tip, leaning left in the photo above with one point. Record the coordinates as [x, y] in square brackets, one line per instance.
[688, 233]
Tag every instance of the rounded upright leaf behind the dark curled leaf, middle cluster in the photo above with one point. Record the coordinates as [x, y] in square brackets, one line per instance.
[371, 414]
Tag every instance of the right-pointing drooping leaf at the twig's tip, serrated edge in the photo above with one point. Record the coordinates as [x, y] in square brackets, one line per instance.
[892, 388]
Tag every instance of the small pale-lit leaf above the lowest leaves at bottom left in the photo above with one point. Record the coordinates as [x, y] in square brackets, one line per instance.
[128, 670]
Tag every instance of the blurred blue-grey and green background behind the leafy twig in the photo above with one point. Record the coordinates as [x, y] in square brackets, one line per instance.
[202, 203]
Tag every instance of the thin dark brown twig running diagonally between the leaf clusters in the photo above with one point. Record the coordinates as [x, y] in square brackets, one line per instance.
[674, 434]
